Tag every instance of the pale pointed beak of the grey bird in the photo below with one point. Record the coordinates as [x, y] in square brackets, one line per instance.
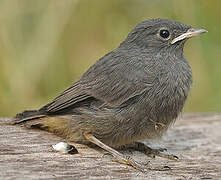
[190, 33]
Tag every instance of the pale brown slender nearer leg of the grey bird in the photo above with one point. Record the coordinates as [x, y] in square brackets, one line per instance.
[119, 157]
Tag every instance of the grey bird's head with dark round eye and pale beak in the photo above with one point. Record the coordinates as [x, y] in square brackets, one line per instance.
[157, 34]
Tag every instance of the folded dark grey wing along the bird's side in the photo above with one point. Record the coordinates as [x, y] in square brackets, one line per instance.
[113, 80]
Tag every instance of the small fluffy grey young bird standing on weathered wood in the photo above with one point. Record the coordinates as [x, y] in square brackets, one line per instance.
[133, 93]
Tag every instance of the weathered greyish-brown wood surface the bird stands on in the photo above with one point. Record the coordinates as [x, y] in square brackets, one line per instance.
[196, 139]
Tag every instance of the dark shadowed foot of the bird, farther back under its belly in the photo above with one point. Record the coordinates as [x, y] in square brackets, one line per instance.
[152, 152]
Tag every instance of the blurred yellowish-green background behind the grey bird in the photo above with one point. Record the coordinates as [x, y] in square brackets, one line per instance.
[46, 45]
